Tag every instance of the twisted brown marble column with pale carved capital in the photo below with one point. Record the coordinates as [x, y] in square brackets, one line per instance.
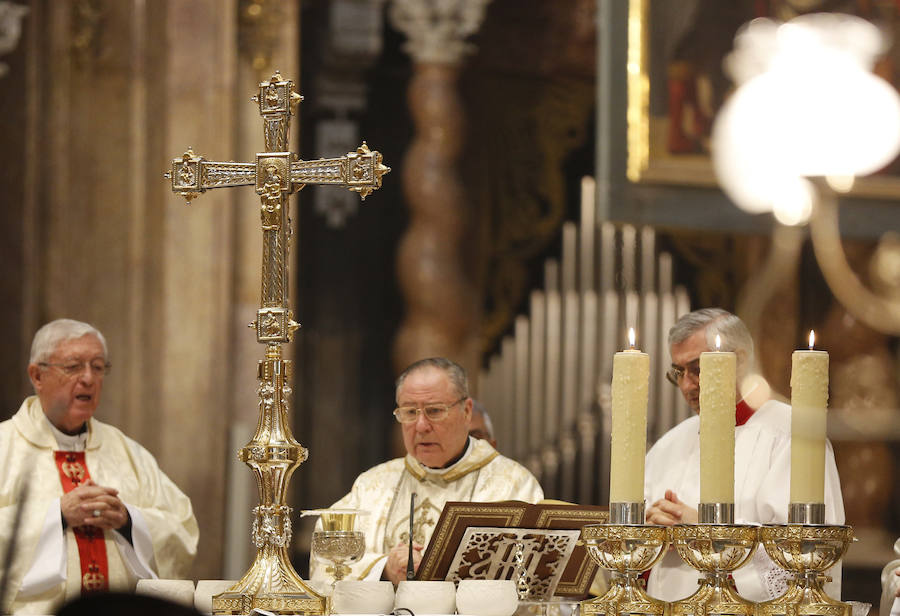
[440, 317]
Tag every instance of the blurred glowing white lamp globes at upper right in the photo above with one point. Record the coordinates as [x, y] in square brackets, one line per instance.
[807, 105]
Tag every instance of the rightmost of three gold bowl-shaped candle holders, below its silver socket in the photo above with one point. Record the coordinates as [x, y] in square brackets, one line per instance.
[806, 551]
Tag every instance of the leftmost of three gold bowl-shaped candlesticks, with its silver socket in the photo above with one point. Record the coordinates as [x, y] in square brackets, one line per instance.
[626, 547]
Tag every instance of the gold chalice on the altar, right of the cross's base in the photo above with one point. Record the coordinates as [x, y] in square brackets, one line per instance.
[338, 543]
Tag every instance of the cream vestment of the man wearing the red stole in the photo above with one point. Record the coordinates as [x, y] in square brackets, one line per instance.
[46, 568]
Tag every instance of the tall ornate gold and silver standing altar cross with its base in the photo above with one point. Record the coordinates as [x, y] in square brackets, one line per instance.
[273, 454]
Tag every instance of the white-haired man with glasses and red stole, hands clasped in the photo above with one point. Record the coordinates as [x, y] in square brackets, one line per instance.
[83, 508]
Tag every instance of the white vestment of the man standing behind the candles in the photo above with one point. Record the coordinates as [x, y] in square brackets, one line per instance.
[762, 472]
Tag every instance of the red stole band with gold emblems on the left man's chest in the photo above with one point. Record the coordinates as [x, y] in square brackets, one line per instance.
[91, 546]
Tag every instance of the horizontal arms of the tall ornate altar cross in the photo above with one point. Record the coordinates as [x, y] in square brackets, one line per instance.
[360, 171]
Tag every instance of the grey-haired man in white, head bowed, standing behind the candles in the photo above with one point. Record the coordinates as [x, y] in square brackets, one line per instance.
[762, 463]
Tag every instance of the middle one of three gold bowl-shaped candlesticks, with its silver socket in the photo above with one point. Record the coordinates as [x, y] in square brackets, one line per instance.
[715, 547]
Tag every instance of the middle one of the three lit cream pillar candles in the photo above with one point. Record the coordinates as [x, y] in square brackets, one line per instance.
[717, 405]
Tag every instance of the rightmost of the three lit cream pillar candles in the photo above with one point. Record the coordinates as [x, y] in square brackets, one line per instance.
[809, 400]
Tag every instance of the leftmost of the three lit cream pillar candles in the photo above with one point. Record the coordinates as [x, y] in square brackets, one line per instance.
[631, 379]
